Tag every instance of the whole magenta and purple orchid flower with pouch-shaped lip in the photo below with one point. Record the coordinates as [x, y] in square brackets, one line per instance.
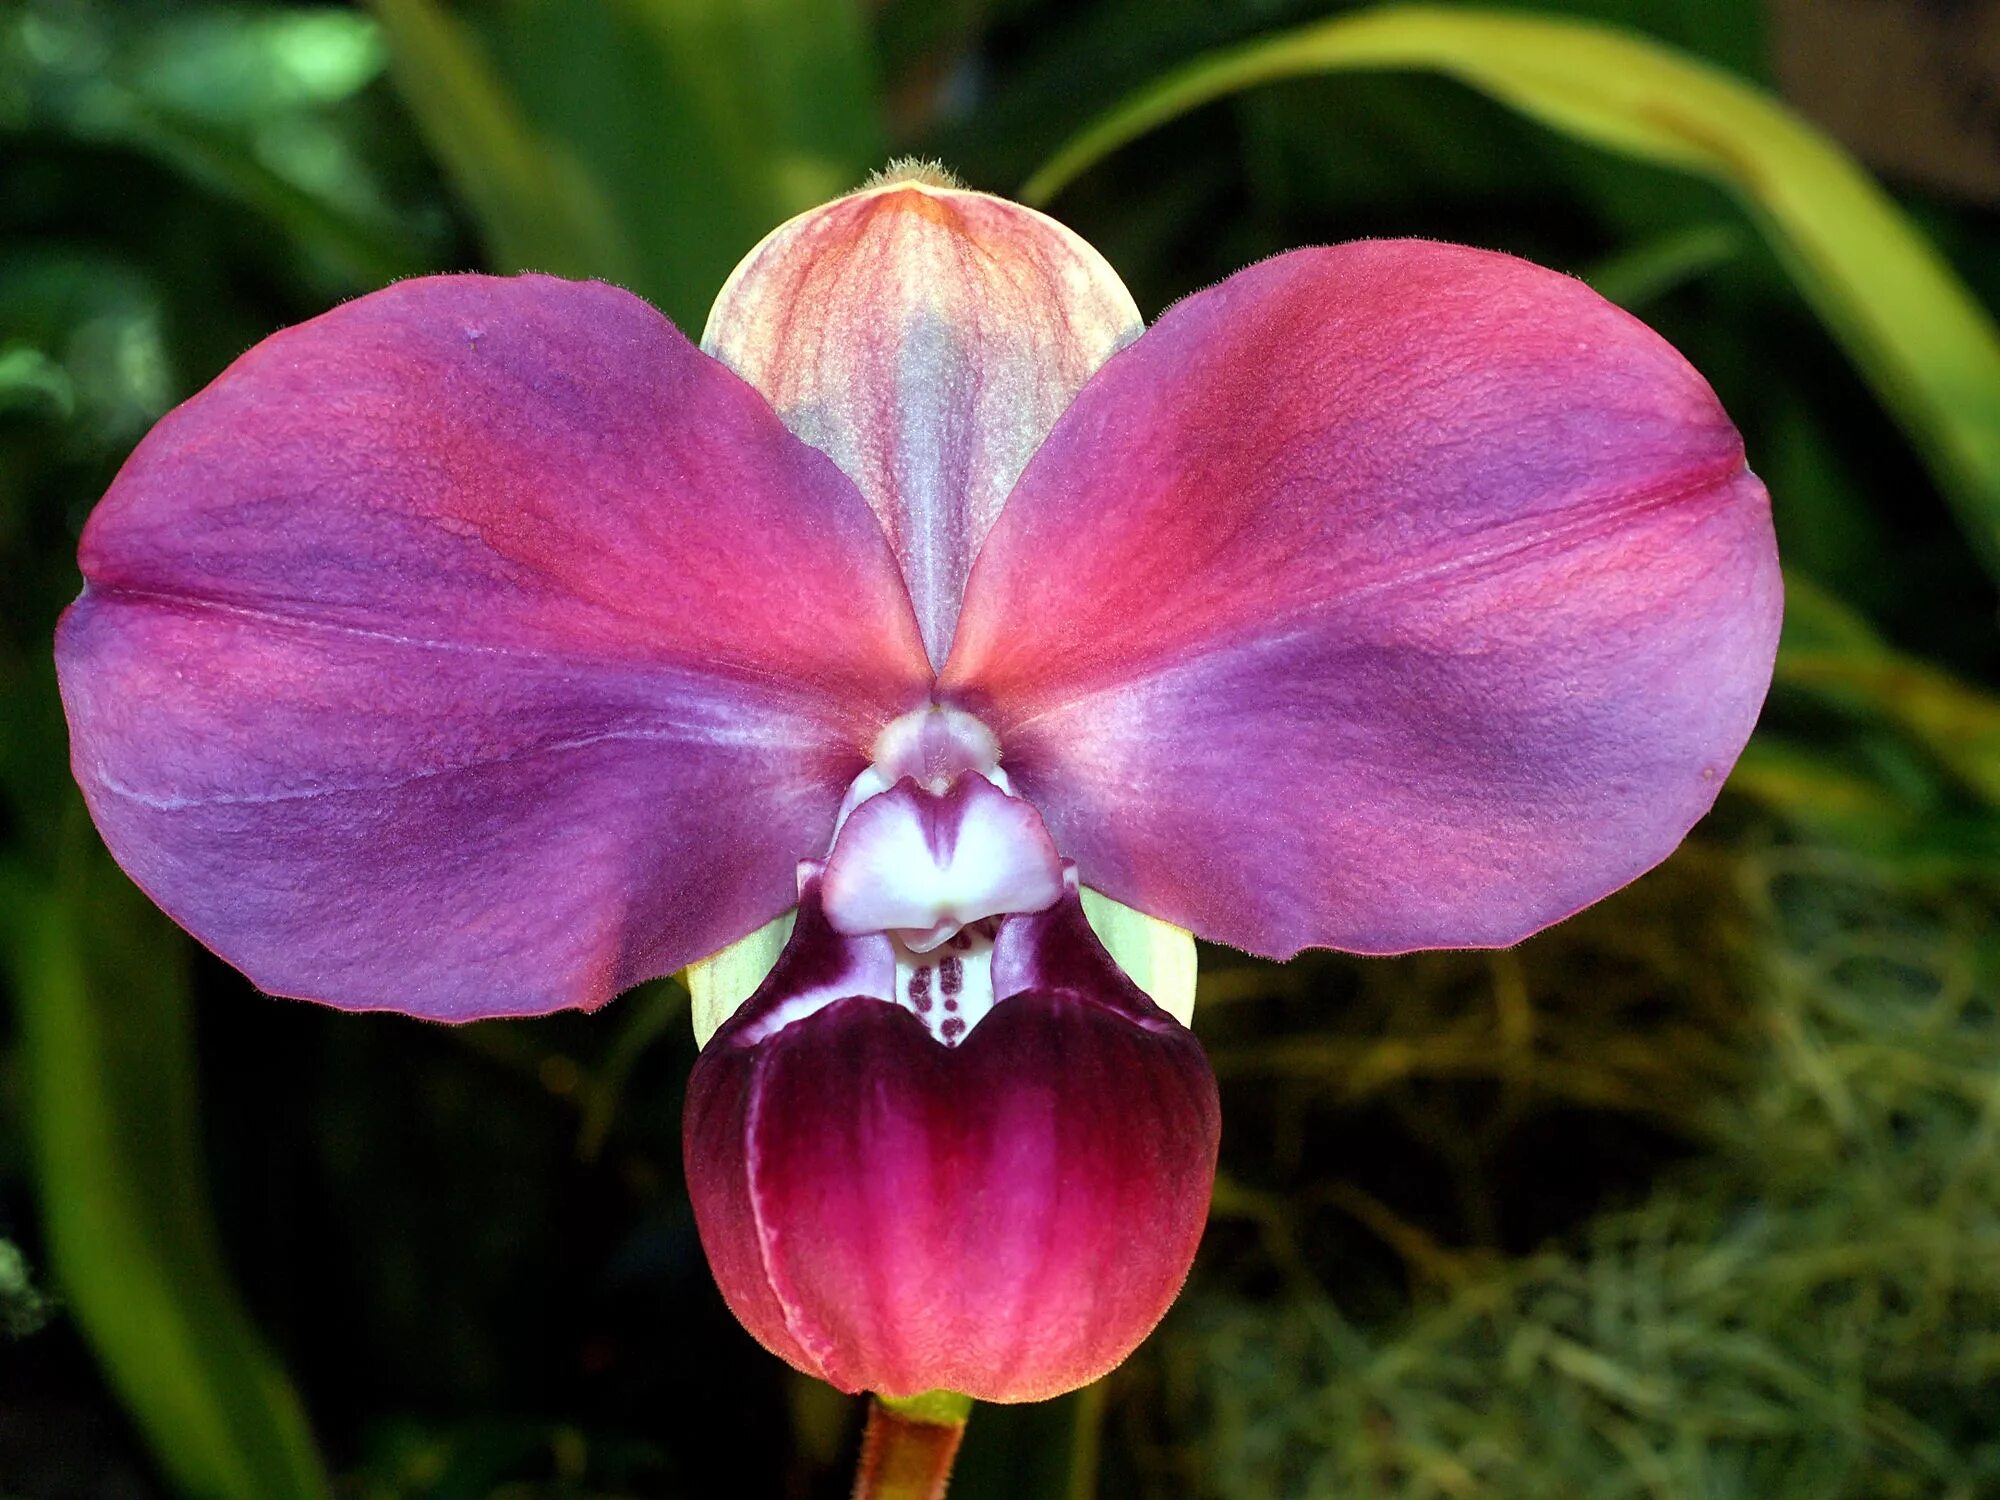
[921, 661]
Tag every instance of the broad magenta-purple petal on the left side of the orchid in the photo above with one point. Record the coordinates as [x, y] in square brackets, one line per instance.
[477, 649]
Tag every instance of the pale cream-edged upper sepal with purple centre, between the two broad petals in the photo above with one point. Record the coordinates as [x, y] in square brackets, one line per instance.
[927, 339]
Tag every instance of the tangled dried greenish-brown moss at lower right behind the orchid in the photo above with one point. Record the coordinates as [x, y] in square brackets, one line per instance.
[1807, 1305]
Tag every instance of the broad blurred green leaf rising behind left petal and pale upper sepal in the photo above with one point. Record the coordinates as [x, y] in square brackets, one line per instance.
[689, 127]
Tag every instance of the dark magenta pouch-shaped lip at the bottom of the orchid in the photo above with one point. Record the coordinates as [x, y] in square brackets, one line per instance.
[1005, 1219]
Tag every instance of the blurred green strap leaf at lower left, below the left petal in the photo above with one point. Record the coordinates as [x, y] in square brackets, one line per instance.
[103, 1009]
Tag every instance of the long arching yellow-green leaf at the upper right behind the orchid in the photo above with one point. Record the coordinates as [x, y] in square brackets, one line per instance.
[1905, 319]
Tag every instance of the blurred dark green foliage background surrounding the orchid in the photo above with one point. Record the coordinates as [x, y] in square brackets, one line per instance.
[1689, 1199]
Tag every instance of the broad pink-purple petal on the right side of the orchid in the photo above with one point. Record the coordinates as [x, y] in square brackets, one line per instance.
[1383, 597]
